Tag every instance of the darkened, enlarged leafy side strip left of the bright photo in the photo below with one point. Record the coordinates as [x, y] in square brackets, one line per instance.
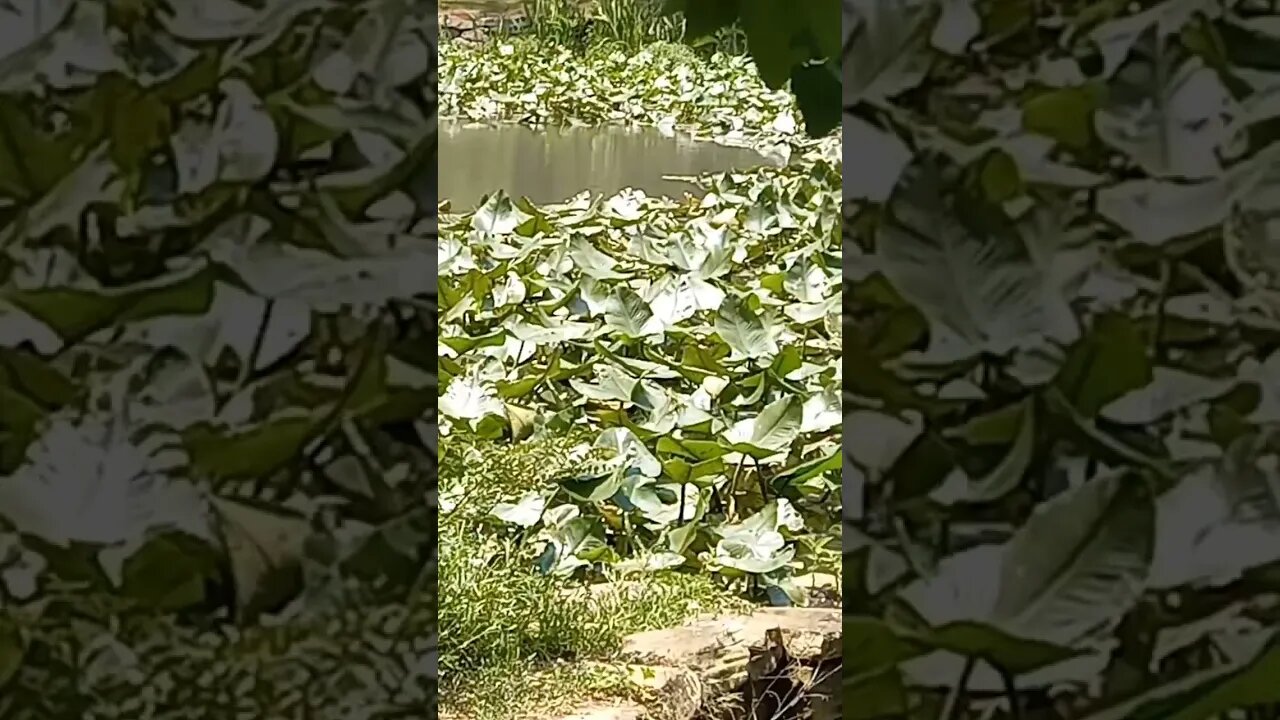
[217, 368]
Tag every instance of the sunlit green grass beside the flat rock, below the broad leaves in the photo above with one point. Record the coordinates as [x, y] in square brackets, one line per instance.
[515, 641]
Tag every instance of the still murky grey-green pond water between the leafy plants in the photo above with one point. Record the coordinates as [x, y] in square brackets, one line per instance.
[556, 165]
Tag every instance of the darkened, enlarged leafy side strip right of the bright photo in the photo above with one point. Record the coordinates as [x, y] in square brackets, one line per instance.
[1062, 359]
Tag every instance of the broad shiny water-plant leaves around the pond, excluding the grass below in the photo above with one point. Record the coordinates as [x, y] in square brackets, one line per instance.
[691, 344]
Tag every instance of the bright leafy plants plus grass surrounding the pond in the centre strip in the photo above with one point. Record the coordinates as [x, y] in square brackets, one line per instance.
[638, 394]
